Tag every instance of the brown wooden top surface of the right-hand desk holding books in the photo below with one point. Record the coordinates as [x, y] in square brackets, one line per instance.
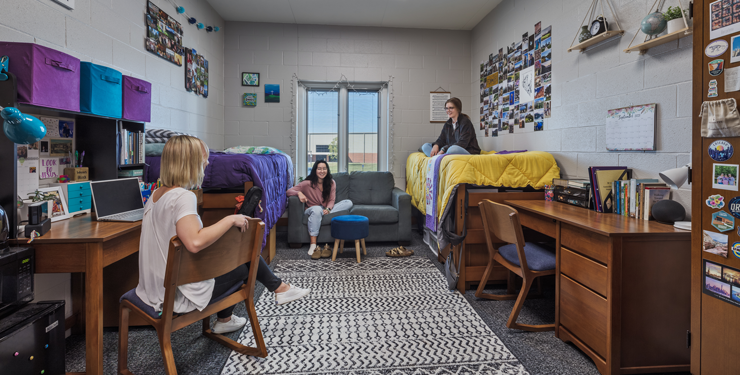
[603, 223]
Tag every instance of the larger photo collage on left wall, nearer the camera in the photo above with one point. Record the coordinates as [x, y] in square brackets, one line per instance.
[164, 35]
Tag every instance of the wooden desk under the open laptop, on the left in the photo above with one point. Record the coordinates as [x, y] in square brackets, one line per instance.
[80, 245]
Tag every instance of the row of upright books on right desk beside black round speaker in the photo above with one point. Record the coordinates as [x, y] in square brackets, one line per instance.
[636, 197]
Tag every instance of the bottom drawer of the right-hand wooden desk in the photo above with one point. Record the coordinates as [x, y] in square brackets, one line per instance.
[583, 313]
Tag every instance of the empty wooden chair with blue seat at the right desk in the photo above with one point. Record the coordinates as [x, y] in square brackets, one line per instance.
[526, 259]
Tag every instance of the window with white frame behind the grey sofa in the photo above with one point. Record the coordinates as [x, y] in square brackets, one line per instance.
[344, 125]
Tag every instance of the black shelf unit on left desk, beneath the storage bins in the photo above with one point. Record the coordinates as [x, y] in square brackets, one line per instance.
[96, 135]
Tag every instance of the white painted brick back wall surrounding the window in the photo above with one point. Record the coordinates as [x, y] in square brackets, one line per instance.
[418, 60]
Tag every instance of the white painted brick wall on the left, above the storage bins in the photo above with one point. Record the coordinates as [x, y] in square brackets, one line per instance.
[112, 33]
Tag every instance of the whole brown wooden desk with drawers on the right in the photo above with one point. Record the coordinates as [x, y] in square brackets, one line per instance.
[622, 286]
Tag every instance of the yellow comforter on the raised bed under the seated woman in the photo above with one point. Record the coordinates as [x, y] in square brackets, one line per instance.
[533, 168]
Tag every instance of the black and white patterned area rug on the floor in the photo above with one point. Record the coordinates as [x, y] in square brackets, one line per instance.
[381, 316]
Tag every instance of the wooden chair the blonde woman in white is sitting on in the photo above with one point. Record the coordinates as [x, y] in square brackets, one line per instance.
[183, 267]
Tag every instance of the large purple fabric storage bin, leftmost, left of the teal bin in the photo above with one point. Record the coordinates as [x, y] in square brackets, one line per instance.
[46, 77]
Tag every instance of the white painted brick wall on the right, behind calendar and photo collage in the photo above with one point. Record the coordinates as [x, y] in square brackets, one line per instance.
[586, 85]
